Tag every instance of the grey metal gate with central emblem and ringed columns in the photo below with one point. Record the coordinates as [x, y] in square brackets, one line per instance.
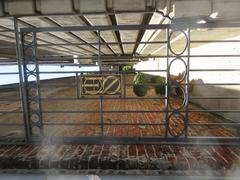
[175, 123]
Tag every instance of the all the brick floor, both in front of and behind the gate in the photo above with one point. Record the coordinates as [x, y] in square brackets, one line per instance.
[122, 157]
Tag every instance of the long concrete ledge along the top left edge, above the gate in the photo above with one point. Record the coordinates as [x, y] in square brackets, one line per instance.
[32, 7]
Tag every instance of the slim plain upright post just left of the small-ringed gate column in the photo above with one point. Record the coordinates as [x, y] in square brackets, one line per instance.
[21, 83]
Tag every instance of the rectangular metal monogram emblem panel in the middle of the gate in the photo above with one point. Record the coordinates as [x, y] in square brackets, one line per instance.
[101, 85]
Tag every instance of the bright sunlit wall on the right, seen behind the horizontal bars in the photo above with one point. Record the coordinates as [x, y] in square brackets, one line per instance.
[210, 77]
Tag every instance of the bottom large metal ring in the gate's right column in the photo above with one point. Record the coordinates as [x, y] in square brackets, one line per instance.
[176, 125]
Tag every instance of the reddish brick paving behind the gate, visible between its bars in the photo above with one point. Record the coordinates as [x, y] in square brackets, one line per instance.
[135, 124]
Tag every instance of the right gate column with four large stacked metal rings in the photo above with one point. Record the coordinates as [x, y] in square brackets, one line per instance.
[180, 113]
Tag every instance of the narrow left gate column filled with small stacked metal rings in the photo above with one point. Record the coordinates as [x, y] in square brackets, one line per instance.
[32, 85]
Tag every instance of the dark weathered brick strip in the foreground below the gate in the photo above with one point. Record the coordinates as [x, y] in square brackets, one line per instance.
[121, 157]
